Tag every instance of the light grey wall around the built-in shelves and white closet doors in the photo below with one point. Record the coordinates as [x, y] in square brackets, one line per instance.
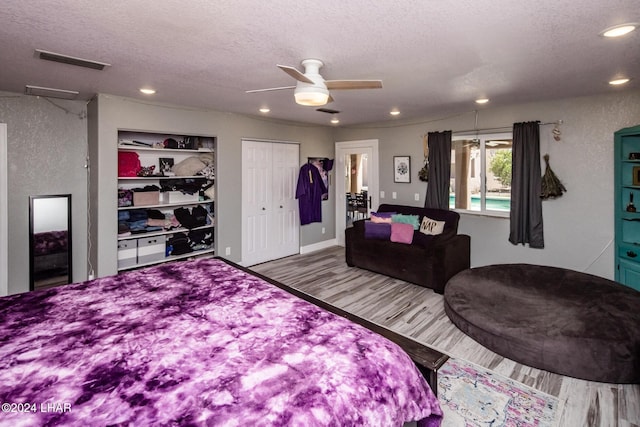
[109, 113]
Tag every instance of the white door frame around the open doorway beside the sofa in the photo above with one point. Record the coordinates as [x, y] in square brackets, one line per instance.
[368, 148]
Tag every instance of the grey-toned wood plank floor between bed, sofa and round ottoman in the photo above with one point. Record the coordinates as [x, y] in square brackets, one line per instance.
[419, 313]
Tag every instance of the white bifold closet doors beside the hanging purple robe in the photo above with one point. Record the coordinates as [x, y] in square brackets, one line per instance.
[270, 221]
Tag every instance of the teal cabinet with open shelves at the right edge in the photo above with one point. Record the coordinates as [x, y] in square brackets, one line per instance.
[627, 206]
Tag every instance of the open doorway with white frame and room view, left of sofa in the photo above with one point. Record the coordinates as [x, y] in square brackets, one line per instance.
[357, 182]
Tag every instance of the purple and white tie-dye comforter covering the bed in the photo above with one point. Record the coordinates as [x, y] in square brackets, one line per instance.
[197, 343]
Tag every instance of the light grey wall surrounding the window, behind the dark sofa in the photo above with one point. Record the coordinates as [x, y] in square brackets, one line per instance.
[579, 226]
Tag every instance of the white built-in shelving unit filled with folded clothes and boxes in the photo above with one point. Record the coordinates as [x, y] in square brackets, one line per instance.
[144, 248]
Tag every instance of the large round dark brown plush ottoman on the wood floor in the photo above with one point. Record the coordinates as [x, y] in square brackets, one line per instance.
[555, 319]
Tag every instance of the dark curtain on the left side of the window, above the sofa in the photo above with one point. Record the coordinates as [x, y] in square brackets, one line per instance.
[439, 144]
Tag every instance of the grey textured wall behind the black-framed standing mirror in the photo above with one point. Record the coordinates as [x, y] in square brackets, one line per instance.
[46, 149]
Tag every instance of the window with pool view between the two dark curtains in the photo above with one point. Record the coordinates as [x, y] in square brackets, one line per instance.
[481, 173]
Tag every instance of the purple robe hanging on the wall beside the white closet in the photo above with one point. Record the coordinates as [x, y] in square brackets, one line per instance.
[309, 194]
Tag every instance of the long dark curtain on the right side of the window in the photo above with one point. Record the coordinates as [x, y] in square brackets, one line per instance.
[526, 185]
